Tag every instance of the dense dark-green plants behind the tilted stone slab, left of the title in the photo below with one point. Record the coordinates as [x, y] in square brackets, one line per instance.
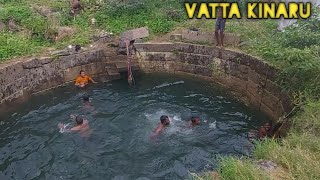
[159, 16]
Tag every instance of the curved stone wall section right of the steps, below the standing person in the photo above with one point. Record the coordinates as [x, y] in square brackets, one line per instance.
[248, 78]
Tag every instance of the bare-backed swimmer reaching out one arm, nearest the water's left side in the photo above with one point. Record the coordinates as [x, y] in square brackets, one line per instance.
[82, 127]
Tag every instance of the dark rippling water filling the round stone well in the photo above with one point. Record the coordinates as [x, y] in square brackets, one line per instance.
[122, 121]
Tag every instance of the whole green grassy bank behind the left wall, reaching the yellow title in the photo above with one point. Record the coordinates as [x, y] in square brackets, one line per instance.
[38, 32]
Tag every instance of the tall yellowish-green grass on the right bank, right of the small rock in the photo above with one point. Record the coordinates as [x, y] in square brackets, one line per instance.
[299, 152]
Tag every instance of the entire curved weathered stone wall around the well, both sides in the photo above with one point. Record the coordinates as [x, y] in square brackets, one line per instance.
[247, 77]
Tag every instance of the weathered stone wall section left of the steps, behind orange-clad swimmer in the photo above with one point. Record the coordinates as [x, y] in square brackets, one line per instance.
[22, 78]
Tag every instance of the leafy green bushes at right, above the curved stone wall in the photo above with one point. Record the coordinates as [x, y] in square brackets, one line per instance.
[295, 51]
